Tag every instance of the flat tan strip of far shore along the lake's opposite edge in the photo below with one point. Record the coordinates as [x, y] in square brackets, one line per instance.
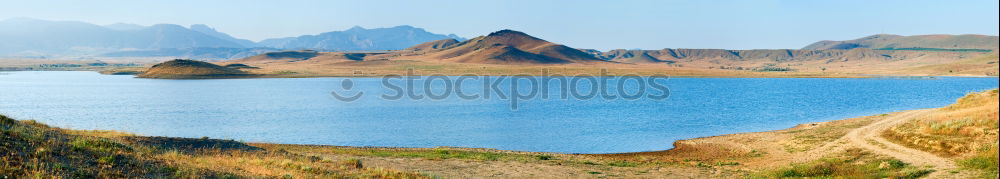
[379, 68]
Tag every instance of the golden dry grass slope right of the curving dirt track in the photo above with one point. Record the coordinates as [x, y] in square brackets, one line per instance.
[966, 131]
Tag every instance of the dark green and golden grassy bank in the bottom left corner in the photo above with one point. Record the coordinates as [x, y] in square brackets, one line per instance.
[31, 149]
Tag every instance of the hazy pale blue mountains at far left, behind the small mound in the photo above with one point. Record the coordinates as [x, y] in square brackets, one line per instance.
[30, 37]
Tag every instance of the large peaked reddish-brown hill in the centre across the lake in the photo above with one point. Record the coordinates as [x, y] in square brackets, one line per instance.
[509, 47]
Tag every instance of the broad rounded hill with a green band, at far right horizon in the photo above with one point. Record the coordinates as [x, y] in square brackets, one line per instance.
[889, 41]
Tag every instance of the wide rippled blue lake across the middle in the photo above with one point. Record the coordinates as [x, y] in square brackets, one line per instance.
[303, 111]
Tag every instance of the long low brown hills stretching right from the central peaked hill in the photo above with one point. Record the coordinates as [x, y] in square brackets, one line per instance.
[875, 47]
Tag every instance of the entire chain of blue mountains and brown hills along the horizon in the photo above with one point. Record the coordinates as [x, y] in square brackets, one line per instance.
[24, 37]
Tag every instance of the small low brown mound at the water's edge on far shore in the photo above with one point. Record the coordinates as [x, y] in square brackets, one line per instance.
[190, 69]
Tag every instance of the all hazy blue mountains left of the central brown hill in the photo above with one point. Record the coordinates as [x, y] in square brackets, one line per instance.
[25, 37]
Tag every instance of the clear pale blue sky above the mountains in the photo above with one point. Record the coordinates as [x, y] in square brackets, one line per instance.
[603, 25]
